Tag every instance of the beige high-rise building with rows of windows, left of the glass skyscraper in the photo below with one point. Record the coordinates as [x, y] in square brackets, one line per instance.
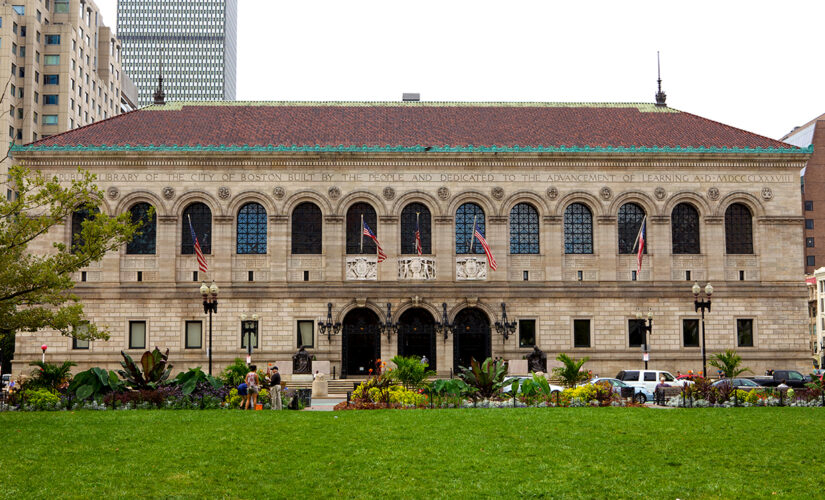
[59, 69]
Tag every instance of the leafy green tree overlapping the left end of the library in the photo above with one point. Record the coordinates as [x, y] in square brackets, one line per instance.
[35, 289]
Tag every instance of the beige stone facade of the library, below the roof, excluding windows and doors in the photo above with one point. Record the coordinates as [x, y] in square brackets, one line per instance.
[551, 287]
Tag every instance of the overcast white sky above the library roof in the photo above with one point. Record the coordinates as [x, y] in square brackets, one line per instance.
[757, 65]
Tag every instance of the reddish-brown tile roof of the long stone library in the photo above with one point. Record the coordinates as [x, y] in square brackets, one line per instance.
[428, 124]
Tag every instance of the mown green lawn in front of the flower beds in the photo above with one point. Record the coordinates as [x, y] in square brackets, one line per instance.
[574, 452]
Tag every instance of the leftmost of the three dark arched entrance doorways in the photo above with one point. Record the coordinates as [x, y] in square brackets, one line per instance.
[361, 342]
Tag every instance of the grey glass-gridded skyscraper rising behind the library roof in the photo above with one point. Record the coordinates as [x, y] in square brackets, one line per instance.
[195, 40]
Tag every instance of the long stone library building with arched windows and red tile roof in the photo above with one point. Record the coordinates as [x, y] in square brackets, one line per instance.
[451, 230]
